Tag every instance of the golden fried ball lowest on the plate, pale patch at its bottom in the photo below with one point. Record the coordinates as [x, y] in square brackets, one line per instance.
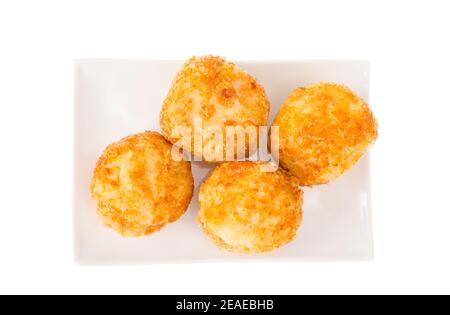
[246, 208]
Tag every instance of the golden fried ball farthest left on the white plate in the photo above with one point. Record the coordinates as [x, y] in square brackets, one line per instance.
[137, 186]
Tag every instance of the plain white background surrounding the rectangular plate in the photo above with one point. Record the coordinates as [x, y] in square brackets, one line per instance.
[408, 47]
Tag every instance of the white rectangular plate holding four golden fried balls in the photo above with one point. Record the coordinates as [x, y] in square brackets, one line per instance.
[115, 98]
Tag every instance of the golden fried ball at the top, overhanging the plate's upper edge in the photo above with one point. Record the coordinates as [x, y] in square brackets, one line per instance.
[207, 95]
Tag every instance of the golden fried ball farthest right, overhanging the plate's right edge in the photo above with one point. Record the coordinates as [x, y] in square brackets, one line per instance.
[324, 129]
